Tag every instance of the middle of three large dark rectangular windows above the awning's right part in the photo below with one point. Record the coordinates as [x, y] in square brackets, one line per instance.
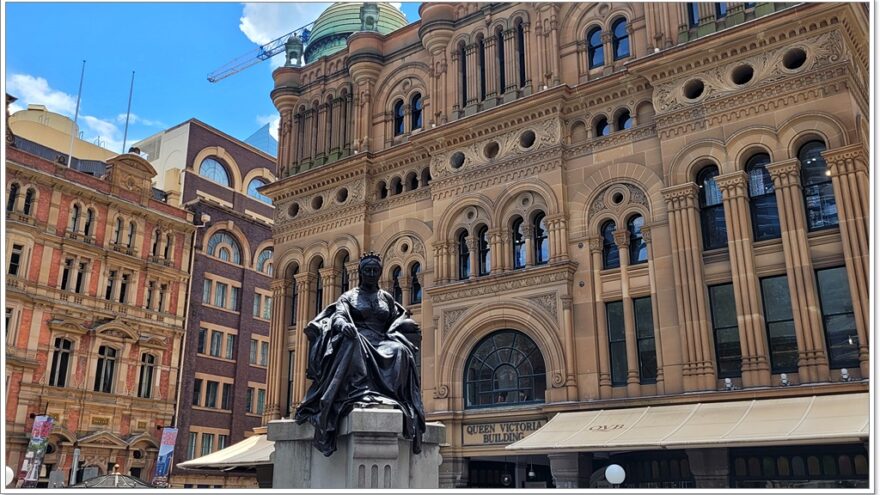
[780, 324]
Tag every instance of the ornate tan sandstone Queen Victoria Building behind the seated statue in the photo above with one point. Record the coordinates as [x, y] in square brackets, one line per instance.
[592, 206]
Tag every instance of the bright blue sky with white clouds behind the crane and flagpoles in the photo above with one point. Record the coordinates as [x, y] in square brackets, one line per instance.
[170, 46]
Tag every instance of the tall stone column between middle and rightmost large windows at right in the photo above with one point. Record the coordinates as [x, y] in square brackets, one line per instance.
[812, 359]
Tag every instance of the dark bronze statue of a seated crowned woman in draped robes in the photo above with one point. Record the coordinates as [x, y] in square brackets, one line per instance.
[359, 356]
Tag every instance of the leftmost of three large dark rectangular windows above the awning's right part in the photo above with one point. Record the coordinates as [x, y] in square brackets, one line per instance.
[724, 327]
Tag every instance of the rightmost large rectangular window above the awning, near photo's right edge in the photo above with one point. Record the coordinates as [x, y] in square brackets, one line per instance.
[841, 336]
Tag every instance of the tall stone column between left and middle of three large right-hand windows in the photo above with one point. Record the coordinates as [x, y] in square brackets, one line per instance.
[749, 310]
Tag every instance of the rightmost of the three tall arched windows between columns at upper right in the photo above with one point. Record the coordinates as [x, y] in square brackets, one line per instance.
[821, 207]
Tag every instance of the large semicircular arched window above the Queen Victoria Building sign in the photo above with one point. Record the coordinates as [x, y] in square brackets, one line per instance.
[505, 368]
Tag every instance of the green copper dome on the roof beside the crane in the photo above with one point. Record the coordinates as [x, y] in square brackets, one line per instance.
[334, 25]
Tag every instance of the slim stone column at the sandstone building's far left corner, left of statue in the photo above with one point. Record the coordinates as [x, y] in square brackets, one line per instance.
[277, 372]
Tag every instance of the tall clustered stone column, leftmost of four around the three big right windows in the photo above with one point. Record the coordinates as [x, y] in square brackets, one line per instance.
[687, 263]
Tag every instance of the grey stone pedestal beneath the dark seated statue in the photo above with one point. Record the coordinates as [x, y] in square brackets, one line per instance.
[371, 453]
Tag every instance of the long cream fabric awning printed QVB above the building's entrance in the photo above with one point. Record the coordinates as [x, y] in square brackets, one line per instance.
[796, 420]
